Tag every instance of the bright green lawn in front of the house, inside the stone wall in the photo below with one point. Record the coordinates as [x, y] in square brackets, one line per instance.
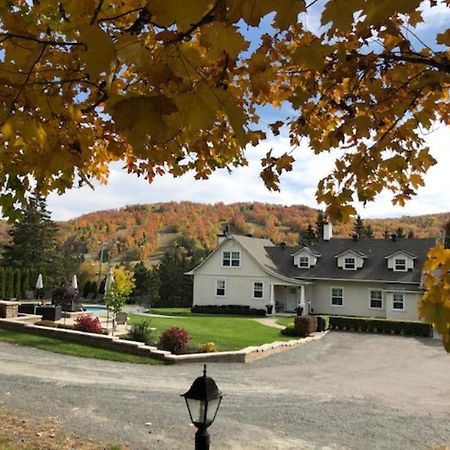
[228, 333]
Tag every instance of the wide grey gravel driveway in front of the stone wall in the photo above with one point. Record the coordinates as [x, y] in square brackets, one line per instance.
[346, 391]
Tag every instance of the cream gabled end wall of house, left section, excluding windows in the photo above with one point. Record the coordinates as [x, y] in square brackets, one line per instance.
[238, 281]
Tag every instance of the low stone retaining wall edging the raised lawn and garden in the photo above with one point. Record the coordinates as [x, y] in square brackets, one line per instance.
[245, 355]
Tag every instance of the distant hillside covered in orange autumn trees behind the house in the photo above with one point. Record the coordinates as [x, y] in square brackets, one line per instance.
[147, 231]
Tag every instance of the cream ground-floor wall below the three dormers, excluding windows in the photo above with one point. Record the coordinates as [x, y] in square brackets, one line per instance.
[356, 300]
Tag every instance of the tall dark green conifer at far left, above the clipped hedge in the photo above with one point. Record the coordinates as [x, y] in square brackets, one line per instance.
[33, 242]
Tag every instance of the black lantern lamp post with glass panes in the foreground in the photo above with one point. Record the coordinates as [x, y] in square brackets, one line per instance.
[203, 401]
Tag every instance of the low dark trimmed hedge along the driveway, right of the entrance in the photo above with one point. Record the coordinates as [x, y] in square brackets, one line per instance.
[369, 325]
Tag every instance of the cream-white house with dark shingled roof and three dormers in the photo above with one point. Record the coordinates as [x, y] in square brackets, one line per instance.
[352, 277]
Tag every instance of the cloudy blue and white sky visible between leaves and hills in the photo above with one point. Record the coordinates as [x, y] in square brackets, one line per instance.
[245, 185]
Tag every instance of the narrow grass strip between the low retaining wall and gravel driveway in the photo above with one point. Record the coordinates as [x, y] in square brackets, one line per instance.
[71, 348]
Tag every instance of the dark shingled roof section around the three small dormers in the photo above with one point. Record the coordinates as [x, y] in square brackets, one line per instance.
[374, 268]
